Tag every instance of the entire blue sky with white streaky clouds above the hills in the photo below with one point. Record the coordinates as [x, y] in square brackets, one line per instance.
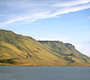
[63, 20]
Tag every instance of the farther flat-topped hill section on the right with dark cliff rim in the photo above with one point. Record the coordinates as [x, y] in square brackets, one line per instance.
[67, 51]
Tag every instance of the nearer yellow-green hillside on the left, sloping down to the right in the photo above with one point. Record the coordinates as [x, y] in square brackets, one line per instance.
[20, 49]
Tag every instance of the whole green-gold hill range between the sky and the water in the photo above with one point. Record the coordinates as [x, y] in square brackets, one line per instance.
[22, 50]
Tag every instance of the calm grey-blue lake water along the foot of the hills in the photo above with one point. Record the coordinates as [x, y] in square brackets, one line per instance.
[44, 73]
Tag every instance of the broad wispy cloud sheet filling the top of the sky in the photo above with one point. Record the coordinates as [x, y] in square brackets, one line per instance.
[26, 11]
